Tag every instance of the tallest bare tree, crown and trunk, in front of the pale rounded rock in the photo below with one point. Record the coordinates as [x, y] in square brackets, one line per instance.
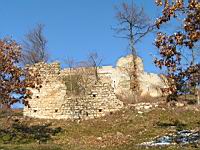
[133, 25]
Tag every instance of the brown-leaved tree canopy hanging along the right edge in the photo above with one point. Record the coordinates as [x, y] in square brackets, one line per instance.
[182, 72]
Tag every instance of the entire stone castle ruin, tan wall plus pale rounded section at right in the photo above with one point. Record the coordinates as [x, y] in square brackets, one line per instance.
[55, 101]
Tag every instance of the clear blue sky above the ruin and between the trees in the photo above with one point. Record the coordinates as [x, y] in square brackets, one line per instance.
[74, 28]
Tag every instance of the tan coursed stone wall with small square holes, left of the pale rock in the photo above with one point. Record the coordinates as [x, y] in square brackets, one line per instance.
[52, 101]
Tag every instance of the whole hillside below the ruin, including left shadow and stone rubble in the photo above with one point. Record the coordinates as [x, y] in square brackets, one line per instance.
[125, 129]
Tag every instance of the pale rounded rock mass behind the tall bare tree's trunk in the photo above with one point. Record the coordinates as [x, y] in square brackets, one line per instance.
[150, 83]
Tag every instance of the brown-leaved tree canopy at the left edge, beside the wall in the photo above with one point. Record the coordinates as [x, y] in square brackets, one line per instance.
[14, 80]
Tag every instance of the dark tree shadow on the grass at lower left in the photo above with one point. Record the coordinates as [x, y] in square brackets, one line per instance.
[19, 133]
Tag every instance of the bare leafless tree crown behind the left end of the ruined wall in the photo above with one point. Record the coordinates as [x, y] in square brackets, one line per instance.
[35, 46]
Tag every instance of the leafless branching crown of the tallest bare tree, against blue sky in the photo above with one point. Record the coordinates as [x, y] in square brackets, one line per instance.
[133, 23]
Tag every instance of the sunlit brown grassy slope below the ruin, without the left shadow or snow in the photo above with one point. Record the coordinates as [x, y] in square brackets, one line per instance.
[122, 130]
